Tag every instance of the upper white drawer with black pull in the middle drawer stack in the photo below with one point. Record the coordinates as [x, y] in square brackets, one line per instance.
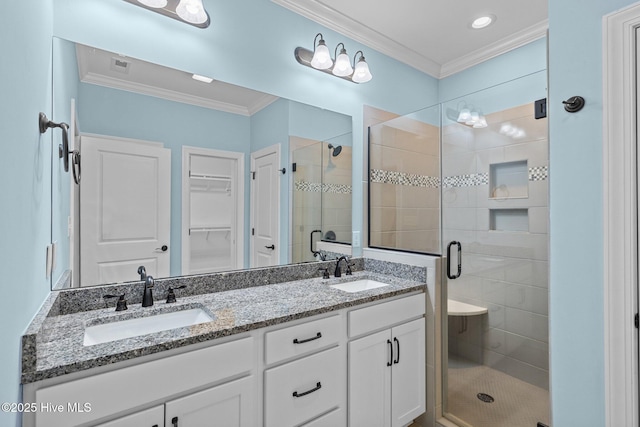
[302, 339]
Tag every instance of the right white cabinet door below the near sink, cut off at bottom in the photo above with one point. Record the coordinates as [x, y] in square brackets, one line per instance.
[229, 405]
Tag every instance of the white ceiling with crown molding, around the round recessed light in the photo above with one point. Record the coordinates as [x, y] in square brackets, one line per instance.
[433, 36]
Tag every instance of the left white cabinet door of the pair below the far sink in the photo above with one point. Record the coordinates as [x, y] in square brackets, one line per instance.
[370, 380]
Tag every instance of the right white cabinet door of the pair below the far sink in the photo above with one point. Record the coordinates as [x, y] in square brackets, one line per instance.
[408, 397]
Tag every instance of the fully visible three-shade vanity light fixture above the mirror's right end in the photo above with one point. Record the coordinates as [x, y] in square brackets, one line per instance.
[342, 67]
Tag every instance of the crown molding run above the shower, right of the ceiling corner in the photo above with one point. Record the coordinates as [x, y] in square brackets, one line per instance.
[515, 41]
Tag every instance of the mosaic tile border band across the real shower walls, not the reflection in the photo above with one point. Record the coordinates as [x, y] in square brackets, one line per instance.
[537, 173]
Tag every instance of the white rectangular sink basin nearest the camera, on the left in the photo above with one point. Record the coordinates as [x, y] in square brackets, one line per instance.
[129, 328]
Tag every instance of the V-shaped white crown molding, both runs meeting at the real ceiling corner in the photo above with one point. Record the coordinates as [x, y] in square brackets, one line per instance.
[336, 21]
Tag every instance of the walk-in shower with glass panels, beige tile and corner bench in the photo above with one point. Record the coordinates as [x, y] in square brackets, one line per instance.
[476, 194]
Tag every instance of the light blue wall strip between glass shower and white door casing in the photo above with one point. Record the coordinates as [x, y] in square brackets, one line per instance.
[576, 310]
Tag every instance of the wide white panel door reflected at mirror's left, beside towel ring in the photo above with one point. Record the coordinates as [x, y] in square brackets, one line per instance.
[125, 196]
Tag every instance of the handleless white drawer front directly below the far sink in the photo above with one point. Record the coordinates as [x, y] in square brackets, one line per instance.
[386, 314]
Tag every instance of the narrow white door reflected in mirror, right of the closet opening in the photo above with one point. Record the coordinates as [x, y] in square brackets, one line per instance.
[265, 207]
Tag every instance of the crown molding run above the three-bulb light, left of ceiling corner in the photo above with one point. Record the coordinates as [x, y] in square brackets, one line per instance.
[348, 27]
